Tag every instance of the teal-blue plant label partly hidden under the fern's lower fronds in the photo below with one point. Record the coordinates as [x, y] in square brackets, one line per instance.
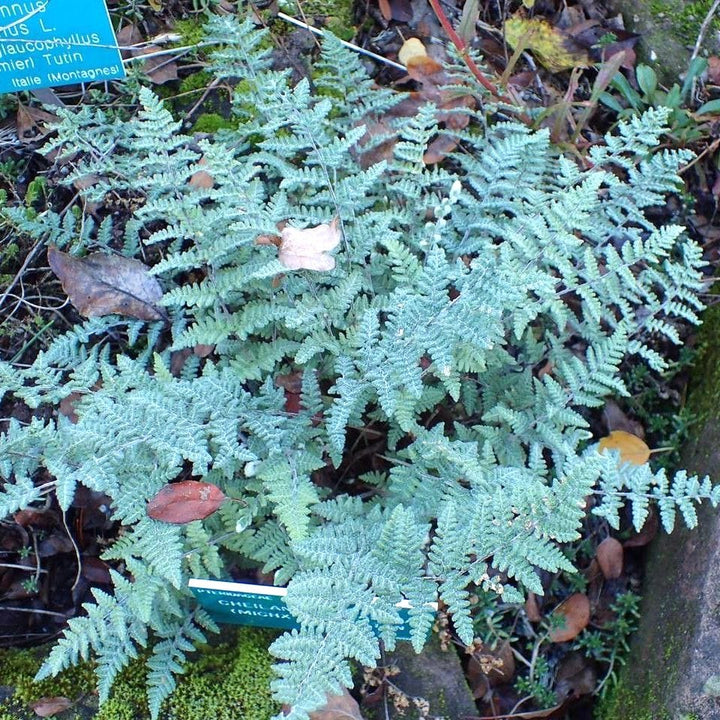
[261, 605]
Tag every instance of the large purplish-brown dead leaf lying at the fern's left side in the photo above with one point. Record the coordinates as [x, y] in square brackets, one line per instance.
[101, 284]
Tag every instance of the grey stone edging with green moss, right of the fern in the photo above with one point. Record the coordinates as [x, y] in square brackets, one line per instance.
[672, 669]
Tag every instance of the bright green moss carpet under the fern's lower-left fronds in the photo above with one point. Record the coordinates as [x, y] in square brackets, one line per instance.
[228, 680]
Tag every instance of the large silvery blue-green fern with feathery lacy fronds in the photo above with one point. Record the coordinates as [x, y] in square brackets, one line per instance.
[450, 286]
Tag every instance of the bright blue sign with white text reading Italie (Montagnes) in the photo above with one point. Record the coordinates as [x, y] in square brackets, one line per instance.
[44, 43]
